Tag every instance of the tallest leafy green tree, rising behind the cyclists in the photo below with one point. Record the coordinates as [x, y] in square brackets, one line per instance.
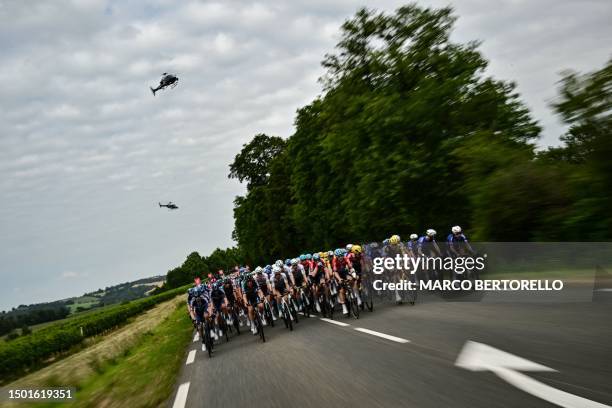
[377, 153]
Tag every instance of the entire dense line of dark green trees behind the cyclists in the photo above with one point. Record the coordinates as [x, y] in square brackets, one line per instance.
[411, 133]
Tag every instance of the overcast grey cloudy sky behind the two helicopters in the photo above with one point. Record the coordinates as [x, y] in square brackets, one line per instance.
[86, 151]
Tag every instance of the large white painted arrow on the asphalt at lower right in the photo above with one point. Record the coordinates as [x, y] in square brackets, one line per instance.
[480, 357]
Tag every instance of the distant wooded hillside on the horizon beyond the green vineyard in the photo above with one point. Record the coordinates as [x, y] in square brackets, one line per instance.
[24, 316]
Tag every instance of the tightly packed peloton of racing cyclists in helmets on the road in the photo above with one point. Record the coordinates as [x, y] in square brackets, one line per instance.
[315, 277]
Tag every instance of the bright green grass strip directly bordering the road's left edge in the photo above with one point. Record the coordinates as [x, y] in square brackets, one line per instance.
[144, 376]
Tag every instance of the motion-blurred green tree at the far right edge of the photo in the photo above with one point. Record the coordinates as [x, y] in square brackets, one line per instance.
[585, 105]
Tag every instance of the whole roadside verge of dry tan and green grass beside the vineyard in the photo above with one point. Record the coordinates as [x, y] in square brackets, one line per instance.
[126, 348]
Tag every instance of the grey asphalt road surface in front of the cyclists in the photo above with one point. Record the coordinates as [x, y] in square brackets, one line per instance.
[321, 364]
